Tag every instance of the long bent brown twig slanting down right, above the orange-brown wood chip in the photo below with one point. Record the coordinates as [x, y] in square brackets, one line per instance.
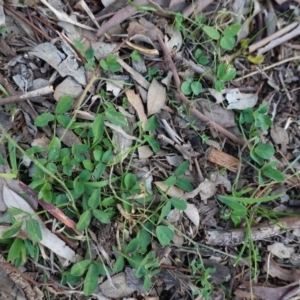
[183, 99]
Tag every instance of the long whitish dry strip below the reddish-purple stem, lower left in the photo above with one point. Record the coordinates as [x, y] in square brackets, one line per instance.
[49, 240]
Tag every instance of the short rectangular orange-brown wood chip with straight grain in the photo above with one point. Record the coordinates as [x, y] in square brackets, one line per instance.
[222, 159]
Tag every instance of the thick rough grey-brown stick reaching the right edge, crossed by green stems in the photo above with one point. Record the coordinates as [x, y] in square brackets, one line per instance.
[262, 231]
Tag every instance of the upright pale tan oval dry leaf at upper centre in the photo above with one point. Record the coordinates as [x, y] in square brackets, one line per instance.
[156, 98]
